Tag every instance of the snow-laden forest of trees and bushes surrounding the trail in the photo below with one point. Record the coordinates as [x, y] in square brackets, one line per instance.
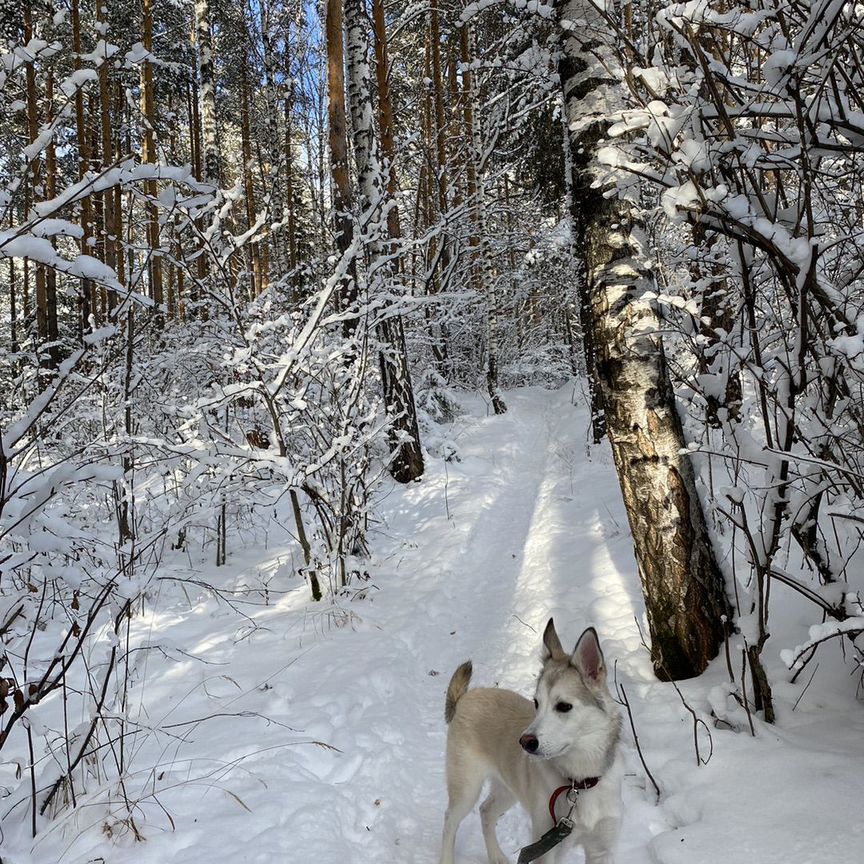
[251, 255]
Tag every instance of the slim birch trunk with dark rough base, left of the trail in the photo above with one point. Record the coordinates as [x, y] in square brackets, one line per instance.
[407, 461]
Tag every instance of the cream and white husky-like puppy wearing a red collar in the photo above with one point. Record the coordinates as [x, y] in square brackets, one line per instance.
[557, 757]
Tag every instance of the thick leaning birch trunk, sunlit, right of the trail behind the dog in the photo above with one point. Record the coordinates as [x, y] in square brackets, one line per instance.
[683, 587]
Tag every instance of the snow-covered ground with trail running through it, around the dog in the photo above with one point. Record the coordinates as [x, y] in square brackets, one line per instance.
[315, 733]
